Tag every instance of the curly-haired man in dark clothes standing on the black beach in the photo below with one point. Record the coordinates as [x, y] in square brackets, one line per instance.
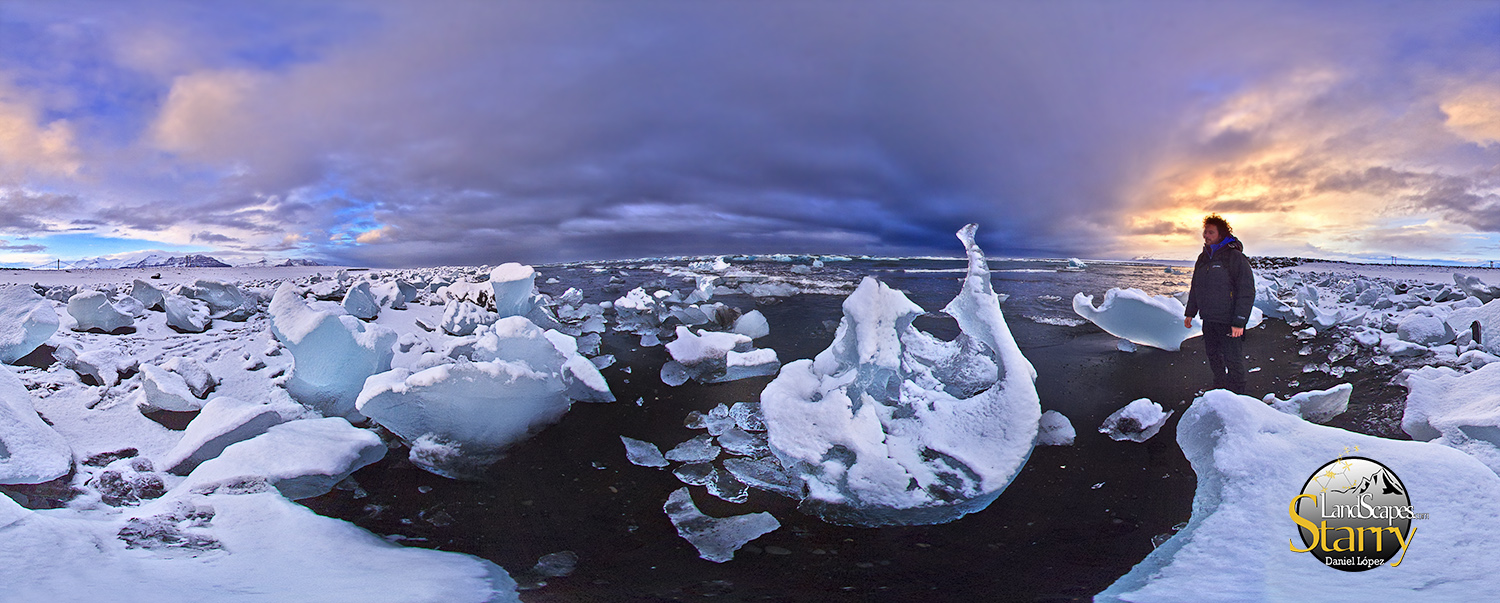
[1223, 295]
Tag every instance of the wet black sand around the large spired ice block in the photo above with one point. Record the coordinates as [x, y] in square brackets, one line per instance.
[1070, 524]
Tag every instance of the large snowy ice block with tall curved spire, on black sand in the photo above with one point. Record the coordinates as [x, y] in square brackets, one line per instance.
[892, 425]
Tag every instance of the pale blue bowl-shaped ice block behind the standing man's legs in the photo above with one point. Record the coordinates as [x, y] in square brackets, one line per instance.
[1145, 320]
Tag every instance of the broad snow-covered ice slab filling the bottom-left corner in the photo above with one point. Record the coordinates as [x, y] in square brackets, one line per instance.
[254, 548]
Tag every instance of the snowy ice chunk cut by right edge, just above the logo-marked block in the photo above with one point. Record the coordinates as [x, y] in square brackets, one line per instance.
[1456, 410]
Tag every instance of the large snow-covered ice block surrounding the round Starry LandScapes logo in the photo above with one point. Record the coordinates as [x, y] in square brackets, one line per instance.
[1252, 460]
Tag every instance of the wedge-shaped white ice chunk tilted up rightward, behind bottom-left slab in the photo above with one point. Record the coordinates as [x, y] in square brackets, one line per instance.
[223, 422]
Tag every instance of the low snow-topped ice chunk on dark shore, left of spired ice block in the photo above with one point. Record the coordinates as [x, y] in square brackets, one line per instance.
[715, 358]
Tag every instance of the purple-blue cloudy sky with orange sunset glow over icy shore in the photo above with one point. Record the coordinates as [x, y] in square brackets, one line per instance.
[472, 133]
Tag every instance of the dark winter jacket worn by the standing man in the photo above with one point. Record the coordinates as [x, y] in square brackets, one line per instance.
[1223, 286]
